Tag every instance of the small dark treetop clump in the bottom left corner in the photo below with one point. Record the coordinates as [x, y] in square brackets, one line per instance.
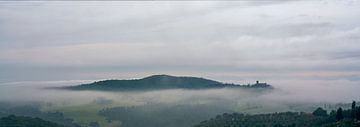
[22, 121]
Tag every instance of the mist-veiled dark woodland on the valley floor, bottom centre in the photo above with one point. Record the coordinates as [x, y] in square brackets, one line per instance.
[161, 115]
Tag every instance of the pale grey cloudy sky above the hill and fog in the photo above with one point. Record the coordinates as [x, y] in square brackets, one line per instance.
[230, 41]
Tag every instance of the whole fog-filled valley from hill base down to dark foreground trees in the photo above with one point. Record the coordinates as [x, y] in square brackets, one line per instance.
[171, 108]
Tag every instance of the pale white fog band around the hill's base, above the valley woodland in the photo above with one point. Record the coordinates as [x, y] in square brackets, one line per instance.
[284, 94]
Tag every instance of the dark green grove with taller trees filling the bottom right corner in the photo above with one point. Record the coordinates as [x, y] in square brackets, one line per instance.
[319, 118]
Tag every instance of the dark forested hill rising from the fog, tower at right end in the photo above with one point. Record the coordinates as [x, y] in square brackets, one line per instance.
[156, 82]
